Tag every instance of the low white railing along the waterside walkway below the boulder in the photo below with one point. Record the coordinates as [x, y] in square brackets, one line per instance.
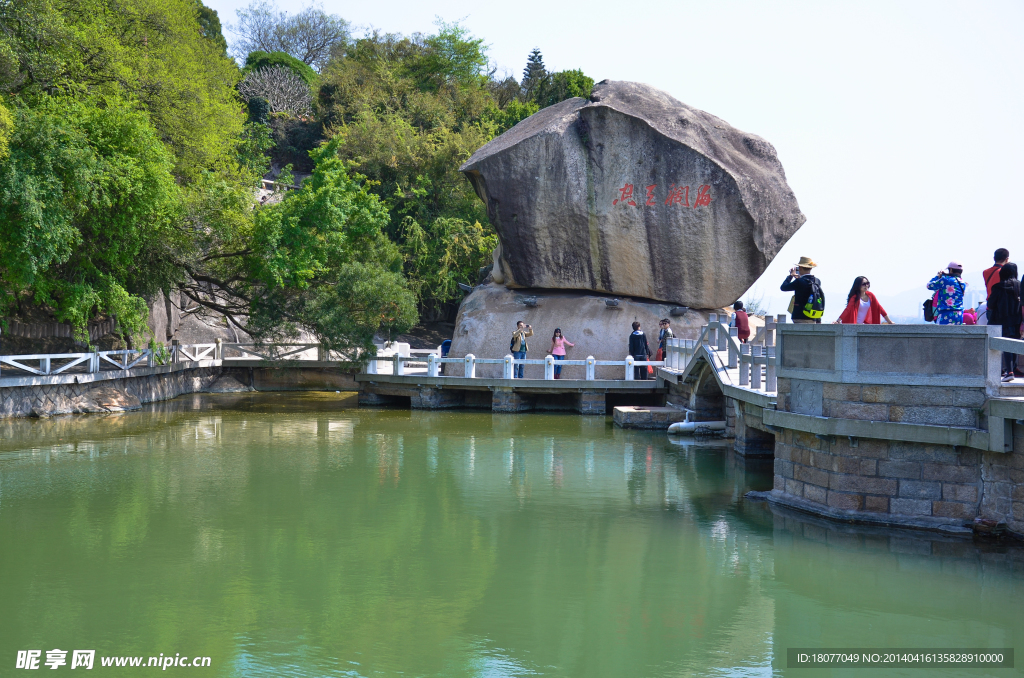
[399, 366]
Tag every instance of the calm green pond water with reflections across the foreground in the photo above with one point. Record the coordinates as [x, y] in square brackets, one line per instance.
[295, 535]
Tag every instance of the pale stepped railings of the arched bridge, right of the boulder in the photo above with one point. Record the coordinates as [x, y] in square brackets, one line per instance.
[755, 362]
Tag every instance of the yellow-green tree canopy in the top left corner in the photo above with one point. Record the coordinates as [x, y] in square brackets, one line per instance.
[151, 53]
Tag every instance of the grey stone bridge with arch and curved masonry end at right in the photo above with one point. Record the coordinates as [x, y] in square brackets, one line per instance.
[900, 426]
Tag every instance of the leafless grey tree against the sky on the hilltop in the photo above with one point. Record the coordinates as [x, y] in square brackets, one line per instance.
[312, 36]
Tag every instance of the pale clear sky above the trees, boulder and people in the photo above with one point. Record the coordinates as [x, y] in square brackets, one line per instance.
[899, 123]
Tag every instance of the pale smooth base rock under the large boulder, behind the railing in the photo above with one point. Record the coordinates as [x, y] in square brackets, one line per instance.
[488, 318]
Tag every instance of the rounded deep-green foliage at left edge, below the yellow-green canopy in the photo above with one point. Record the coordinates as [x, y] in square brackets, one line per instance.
[87, 198]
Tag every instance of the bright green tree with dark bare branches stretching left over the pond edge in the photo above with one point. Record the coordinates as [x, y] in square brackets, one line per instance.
[319, 261]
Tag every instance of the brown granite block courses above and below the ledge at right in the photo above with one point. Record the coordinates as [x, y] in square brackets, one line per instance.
[915, 484]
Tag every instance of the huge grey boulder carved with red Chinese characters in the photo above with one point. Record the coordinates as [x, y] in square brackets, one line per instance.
[634, 193]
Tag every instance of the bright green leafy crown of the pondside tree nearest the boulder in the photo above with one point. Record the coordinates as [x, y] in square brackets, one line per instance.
[320, 261]
